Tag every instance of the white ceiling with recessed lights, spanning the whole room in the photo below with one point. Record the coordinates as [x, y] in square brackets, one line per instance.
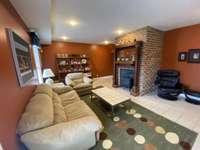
[99, 19]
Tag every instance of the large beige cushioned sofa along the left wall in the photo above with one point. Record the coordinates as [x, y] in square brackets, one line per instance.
[57, 119]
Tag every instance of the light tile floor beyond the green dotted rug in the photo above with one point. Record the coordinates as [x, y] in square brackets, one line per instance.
[181, 112]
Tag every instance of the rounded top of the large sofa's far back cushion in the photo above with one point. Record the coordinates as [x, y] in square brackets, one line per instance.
[43, 89]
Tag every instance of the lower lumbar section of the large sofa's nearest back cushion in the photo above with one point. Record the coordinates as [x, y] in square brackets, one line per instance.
[59, 114]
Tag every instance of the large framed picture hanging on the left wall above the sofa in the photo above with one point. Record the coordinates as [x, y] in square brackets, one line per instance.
[22, 58]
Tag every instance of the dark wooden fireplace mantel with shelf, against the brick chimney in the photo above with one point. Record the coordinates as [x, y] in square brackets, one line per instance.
[132, 51]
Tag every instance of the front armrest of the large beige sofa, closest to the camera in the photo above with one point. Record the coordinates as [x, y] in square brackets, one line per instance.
[64, 135]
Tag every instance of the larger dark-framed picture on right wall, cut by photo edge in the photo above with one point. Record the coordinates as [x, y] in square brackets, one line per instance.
[194, 56]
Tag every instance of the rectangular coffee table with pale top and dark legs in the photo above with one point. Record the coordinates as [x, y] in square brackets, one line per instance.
[110, 96]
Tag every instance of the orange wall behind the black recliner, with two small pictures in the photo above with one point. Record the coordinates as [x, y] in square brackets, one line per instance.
[179, 40]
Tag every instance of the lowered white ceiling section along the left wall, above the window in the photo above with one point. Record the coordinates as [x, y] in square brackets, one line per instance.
[36, 15]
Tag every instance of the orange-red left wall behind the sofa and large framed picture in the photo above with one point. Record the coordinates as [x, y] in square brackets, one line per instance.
[12, 97]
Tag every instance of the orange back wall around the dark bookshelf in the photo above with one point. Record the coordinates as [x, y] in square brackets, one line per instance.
[100, 55]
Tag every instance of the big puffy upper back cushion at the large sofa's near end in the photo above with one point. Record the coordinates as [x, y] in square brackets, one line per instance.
[38, 114]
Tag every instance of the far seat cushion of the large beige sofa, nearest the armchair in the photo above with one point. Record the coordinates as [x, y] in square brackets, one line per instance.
[69, 97]
